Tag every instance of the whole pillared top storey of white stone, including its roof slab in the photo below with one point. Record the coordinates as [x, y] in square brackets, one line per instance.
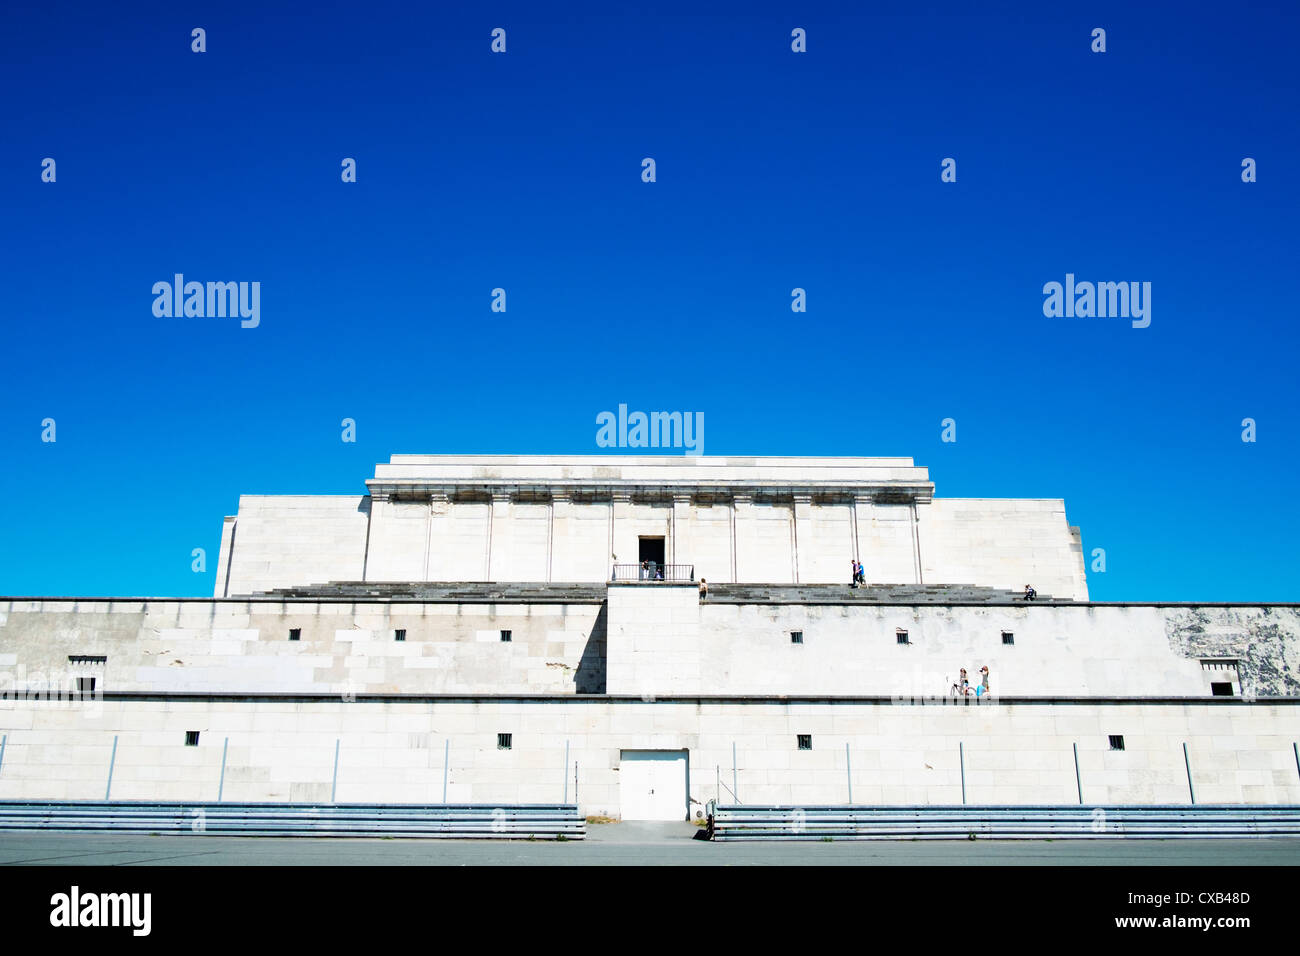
[501, 518]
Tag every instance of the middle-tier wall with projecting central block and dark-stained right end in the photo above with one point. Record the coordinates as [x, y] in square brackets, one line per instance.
[664, 641]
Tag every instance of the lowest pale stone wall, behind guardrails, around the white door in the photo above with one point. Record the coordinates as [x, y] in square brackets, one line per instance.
[900, 754]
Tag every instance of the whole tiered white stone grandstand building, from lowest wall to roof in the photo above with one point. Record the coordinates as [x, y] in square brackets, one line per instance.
[504, 630]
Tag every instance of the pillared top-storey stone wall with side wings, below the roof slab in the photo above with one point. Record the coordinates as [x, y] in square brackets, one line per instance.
[293, 542]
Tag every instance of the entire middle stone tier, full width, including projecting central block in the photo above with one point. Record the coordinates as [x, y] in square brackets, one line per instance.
[652, 641]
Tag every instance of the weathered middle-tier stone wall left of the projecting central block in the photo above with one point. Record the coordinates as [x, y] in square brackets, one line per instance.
[245, 647]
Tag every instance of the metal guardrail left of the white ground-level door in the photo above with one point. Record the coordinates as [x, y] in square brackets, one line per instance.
[448, 821]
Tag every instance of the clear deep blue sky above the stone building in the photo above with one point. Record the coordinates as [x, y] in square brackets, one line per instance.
[775, 171]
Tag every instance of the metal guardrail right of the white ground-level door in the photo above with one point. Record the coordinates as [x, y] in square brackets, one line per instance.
[735, 823]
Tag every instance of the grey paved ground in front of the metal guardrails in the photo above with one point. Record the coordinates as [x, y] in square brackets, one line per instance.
[671, 845]
